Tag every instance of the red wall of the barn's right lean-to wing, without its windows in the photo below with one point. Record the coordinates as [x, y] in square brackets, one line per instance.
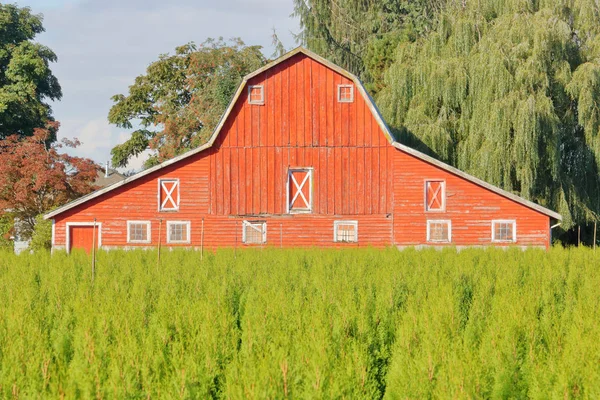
[470, 208]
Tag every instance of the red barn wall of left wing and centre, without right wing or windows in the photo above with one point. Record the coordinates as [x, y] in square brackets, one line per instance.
[244, 174]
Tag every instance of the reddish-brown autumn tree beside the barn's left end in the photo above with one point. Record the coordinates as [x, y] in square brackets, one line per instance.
[35, 177]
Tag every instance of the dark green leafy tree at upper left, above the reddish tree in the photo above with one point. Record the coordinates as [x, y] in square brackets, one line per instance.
[26, 81]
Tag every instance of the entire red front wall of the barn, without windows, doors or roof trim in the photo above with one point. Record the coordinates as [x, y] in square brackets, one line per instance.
[358, 176]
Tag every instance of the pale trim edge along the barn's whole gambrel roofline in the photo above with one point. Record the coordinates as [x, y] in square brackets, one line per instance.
[370, 103]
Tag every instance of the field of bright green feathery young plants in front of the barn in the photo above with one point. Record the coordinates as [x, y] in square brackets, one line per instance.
[302, 324]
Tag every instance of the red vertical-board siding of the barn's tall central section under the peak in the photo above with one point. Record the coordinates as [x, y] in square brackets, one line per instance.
[301, 124]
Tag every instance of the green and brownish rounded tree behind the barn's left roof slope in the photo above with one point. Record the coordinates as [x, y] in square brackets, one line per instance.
[179, 101]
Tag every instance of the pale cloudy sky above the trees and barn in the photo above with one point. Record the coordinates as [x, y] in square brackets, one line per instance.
[102, 45]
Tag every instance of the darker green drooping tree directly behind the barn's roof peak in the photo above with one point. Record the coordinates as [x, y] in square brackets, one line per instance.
[361, 35]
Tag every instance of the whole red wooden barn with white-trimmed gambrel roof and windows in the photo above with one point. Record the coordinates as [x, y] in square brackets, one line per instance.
[301, 157]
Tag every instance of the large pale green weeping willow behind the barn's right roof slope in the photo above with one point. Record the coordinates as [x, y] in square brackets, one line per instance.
[509, 91]
